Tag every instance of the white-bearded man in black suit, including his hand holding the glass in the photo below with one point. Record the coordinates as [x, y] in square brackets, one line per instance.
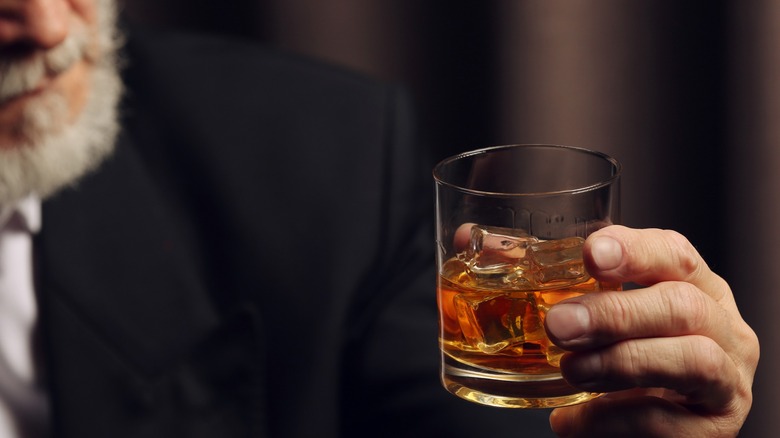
[251, 257]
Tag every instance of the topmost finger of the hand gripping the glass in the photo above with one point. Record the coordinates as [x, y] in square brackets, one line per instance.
[620, 254]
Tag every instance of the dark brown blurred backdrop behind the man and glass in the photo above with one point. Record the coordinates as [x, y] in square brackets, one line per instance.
[686, 94]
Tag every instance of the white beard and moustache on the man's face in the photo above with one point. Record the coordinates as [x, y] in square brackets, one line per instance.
[55, 154]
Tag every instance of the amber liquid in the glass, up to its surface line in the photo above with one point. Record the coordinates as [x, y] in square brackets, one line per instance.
[494, 347]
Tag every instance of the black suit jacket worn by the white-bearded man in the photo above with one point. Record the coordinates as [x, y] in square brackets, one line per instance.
[254, 260]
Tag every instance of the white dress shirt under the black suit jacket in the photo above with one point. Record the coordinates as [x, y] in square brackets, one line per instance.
[24, 409]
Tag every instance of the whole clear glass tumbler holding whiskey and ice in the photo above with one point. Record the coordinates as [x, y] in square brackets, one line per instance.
[510, 225]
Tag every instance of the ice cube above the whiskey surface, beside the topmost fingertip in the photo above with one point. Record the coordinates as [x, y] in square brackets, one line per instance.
[557, 262]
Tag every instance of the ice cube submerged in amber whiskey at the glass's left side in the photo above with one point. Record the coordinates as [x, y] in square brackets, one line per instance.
[499, 323]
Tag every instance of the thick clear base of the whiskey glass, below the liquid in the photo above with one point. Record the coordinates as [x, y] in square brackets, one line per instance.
[512, 391]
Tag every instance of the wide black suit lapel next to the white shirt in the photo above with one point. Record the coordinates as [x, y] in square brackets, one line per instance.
[123, 303]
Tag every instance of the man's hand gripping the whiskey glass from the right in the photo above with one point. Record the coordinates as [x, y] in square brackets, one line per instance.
[676, 357]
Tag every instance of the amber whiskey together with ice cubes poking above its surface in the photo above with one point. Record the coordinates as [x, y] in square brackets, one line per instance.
[494, 346]
